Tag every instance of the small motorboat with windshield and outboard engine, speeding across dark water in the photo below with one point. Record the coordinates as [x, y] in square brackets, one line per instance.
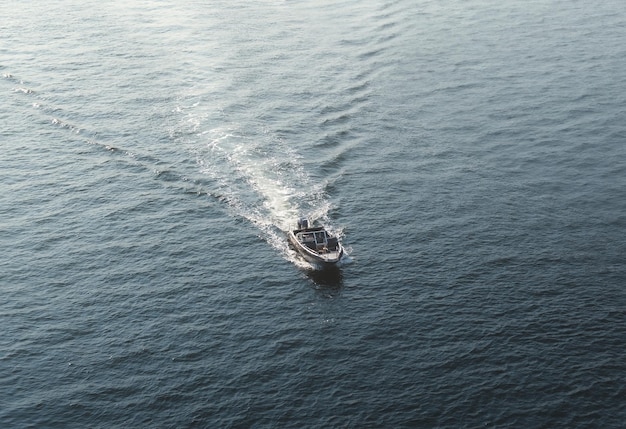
[316, 244]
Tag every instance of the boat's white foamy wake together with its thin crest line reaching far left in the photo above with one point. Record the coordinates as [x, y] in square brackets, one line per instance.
[253, 171]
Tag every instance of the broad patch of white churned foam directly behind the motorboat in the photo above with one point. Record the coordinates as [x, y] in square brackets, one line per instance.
[259, 176]
